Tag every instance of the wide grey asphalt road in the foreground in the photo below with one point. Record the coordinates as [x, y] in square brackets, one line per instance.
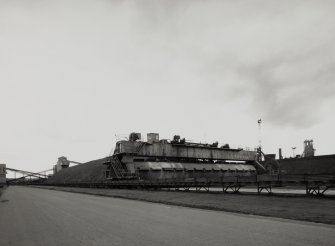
[32, 216]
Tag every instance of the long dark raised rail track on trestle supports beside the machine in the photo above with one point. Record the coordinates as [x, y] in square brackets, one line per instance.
[314, 184]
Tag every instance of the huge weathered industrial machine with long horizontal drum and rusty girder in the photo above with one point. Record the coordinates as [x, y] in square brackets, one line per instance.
[156, 159]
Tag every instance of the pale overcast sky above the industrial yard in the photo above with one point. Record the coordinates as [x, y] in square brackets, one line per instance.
[75, 73]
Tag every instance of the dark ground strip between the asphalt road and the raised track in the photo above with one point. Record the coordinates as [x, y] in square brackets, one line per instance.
[306, 208]
